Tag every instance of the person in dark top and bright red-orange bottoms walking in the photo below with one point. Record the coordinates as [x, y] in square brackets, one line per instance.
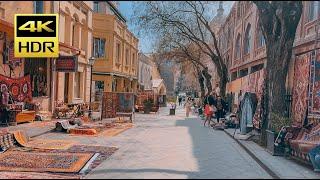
[209, 107]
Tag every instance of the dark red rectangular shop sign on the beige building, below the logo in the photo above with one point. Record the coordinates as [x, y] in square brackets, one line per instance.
[67, 64]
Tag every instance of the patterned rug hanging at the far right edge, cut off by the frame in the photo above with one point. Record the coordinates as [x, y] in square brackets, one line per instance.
[314, 88]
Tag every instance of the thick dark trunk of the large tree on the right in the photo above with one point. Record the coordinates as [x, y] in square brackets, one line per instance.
[278, 22]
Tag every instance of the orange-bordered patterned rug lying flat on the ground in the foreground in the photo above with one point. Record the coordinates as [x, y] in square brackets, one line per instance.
[43, 162]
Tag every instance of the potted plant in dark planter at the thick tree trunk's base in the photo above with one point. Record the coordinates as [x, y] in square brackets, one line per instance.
[275, 144]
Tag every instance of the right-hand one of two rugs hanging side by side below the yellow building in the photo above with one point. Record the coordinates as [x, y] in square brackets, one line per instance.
[125, 102]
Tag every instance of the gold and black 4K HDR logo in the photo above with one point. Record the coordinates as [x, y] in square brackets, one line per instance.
[36, 35]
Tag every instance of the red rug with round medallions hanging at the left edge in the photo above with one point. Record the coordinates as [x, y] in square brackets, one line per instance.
[20, 89]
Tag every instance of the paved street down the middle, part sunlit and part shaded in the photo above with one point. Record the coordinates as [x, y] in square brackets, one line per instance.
[163, 146]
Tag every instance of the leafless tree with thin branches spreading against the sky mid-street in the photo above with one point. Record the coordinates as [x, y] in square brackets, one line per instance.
[188, 22]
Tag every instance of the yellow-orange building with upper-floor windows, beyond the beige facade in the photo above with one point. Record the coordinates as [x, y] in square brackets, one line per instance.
[115, 49]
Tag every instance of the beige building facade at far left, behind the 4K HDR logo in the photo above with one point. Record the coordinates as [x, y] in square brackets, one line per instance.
[75, 39]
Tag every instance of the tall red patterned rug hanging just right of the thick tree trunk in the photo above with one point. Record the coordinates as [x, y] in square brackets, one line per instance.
[300, 87]
